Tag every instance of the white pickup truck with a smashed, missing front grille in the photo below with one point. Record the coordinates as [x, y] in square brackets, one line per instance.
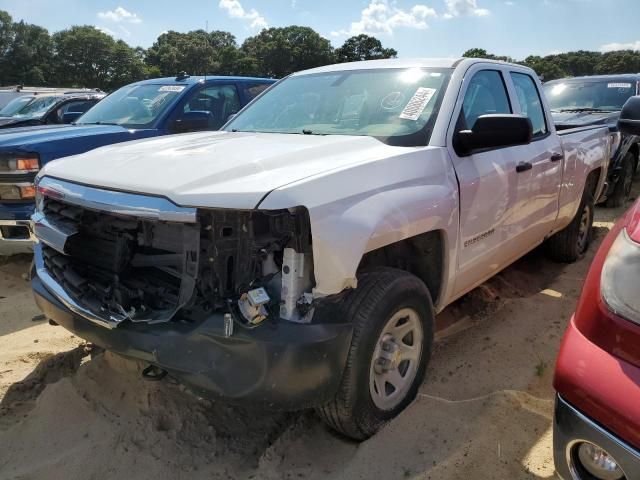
[297, 258]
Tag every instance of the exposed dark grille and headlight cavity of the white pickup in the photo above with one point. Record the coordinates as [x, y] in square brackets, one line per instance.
[251, 265]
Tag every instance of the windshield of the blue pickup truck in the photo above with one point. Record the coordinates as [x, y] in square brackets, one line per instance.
[135, 106]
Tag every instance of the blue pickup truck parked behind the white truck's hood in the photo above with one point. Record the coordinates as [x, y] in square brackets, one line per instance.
[141, 110]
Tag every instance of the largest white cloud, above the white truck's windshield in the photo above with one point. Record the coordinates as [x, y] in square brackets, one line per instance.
[380, 17]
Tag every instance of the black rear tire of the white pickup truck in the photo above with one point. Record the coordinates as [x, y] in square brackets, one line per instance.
[568, 245]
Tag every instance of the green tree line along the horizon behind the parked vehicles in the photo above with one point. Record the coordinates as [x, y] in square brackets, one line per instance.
[84, 56]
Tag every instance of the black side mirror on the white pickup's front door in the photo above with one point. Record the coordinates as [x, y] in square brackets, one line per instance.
[494, 131]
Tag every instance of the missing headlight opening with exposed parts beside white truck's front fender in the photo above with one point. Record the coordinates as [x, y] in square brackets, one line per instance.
[256, 264]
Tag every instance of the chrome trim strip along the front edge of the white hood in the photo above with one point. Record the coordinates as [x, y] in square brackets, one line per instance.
[119, 203]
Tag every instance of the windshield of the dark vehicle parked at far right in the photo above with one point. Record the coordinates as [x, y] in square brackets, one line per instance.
[605, 95]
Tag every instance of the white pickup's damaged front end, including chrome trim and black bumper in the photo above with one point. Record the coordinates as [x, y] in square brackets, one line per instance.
[220, 298]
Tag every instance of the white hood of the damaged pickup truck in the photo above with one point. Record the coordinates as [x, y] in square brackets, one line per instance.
[215, 169]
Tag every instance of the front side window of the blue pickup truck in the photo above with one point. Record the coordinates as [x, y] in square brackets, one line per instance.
[219, 101]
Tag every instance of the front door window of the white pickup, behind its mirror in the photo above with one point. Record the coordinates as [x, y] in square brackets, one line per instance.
[486, 94]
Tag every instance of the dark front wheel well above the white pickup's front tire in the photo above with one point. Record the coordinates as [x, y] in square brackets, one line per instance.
[422, 255]
